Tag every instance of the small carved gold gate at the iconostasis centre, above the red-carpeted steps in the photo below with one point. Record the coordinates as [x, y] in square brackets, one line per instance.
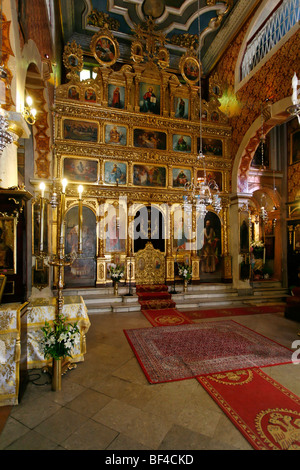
[149, 266]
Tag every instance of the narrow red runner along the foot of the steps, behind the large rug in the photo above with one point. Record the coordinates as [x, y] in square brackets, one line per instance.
[230, 312]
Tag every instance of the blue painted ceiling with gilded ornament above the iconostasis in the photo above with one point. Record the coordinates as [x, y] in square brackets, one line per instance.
[176, 19]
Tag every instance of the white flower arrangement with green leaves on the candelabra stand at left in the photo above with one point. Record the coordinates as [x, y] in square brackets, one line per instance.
[59, 340]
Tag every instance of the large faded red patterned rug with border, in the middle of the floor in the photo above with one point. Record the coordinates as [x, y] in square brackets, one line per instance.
[168, 354]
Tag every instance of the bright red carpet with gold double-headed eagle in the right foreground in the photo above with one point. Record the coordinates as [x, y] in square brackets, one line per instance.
[265, 412]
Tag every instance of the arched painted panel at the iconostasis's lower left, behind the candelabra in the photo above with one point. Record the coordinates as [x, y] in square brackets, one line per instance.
[82, 272]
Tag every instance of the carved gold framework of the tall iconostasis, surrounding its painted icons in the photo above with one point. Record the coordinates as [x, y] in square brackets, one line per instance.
[72, 104]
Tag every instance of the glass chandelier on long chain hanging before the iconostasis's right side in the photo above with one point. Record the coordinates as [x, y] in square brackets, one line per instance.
[204, 192]
